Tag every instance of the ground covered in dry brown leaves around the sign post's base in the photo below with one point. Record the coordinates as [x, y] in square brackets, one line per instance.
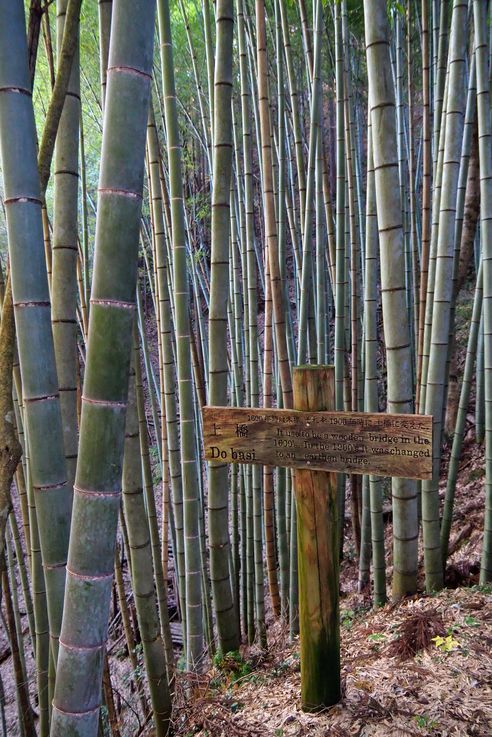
[443, 690]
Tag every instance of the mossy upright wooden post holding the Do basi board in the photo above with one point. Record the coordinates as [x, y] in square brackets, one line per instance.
[317, 544]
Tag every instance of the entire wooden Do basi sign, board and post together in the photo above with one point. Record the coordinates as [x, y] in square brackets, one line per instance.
[315, 442]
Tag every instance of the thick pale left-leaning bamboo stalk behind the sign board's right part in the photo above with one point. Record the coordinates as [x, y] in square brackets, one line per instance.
[396, 326]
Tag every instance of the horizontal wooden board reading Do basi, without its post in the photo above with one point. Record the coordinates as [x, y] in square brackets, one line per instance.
[349, 442]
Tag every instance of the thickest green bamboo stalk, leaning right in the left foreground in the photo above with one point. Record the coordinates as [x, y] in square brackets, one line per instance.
[98, 481]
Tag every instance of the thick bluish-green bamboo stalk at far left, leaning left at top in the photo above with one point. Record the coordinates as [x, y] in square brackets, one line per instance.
[32, 307]
